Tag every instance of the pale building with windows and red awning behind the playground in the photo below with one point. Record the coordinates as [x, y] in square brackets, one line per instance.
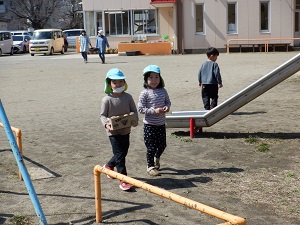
[193, 25]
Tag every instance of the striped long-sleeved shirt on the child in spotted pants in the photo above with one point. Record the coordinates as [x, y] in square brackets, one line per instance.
[149, 100]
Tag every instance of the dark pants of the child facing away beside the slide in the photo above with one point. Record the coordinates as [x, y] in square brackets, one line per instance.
[210, 92]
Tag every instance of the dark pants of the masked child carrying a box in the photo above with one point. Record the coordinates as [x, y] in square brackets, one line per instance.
[120, 146]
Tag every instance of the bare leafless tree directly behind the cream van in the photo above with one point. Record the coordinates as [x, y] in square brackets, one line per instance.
[36, 13]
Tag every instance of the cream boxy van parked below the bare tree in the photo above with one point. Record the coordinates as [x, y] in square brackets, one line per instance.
[47, 42]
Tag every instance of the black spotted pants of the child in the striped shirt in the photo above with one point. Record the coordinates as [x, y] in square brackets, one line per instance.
[155, 141]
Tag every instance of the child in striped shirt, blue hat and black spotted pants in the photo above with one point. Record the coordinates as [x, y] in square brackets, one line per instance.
[154, 103]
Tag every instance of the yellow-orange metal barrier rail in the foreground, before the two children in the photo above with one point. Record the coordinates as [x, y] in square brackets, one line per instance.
[231, 219]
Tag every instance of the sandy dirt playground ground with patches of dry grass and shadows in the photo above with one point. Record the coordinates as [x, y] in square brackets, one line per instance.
[55, 101]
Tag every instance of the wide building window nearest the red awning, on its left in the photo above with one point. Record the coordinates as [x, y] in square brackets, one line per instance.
[144, 22]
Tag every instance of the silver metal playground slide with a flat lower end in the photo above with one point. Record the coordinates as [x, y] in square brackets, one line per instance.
[207, 118]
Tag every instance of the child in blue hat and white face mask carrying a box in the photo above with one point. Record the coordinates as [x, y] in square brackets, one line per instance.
[117, 102]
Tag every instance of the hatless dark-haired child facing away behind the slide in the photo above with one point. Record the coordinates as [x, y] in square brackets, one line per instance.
[210, 80]
